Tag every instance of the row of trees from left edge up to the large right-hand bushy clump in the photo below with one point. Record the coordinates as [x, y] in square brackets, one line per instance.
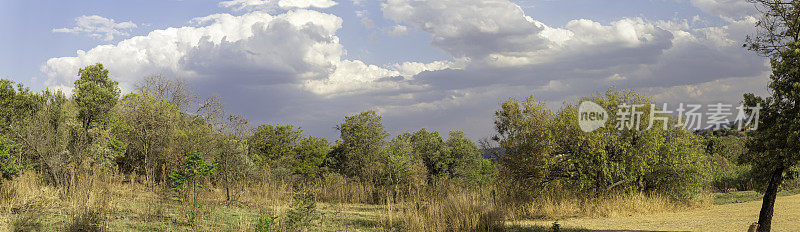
[152, 132]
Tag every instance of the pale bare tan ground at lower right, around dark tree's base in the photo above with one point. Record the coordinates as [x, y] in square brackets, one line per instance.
[730, 217]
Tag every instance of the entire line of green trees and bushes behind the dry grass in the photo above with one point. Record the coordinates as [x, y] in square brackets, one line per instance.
[161, 129]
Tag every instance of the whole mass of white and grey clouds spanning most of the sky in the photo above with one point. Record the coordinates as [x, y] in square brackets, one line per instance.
[290, 67]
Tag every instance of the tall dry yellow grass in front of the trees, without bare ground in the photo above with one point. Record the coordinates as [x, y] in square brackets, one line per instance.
[344, 205]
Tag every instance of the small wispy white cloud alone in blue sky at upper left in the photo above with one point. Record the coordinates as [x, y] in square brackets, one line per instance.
[98, 27]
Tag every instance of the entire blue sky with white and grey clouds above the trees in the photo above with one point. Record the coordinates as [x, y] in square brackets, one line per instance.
[438, 64]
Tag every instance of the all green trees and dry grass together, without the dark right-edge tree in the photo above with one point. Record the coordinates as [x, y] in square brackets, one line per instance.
[162, 158]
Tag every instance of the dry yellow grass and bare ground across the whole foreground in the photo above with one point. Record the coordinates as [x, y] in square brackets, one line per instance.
[133, 207]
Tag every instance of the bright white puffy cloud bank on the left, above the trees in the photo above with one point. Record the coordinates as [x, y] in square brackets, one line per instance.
[298, 47]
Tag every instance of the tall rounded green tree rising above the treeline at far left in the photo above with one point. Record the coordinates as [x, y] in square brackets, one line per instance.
[95, 93]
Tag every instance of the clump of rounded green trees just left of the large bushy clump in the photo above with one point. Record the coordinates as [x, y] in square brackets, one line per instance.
[409, 158]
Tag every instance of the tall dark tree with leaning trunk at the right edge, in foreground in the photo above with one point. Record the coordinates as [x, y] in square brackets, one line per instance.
[775, 145]
